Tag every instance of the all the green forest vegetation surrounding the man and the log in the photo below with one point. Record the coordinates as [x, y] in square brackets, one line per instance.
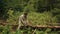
[40, 12]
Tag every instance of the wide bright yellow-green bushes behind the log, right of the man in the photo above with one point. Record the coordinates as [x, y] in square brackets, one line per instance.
[41, 18]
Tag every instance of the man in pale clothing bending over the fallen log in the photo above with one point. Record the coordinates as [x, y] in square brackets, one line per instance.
[23, 20]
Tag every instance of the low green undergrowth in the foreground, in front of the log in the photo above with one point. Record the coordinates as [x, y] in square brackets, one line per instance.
[29, 30]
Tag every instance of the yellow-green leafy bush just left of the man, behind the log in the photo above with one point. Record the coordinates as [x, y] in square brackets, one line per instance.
[13, 16]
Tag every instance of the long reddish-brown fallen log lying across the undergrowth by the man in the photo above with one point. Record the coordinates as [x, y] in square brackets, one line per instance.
[33, 26]
